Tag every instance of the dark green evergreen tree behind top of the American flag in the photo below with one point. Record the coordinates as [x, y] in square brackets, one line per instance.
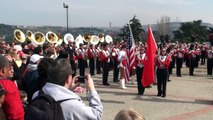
[136, 27]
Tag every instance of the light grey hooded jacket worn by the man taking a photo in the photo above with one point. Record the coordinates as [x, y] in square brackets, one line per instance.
[74, 108]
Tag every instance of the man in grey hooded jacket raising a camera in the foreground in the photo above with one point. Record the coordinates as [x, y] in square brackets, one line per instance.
[60, 85]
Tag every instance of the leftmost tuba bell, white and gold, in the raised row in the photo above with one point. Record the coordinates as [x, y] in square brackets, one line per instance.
[19, 36]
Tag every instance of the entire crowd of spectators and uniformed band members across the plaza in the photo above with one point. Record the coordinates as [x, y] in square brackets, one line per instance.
[26, 69]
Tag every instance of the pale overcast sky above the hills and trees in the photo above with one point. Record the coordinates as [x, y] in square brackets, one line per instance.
[99, 13]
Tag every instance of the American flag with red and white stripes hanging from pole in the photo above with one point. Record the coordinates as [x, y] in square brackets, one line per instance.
[130, 54]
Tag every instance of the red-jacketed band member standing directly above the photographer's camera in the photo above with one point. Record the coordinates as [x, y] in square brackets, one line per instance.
[81, 59]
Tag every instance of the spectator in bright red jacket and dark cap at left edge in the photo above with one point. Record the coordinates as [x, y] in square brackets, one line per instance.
[12, 106]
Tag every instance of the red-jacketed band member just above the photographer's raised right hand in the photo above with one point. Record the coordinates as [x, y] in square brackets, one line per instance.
[91, 56]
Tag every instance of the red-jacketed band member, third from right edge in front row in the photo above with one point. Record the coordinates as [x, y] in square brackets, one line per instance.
[192, 58]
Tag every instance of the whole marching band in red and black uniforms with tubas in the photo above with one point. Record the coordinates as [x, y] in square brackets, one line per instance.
[101, 53]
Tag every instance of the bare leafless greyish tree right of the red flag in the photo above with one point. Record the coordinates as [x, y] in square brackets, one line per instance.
[164, 28]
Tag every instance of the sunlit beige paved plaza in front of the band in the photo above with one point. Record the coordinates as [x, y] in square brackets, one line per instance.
[188, 98]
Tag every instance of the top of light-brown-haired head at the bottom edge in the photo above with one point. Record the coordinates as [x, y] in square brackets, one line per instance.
[129, 114]
